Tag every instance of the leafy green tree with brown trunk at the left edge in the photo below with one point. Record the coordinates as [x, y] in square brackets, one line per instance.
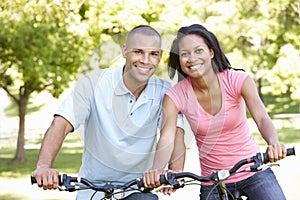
[40, 49]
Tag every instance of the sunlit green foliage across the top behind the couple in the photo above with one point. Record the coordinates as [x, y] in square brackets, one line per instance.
[45, 44]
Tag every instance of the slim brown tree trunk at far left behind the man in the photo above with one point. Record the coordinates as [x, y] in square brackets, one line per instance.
[20, 155]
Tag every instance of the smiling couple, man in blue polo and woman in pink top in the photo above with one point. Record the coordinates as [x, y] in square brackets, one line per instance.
[122, 109]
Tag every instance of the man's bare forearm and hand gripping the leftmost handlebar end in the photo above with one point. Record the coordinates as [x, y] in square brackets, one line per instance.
[44, 174]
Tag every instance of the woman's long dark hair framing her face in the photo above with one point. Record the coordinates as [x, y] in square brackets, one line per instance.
[219, 61]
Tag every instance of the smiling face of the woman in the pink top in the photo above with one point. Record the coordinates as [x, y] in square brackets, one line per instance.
[195, 56]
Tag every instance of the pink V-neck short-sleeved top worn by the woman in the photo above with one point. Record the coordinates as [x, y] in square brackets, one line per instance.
[222, 139]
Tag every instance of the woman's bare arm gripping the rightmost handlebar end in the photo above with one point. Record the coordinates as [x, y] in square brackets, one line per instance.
[263, 121]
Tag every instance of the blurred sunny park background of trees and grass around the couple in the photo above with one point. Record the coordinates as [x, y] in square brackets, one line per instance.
[46, 45]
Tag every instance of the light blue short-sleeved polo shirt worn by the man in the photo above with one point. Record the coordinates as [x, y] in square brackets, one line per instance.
[119, 131]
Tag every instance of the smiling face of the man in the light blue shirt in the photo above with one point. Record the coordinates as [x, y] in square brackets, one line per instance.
[142, 54]
